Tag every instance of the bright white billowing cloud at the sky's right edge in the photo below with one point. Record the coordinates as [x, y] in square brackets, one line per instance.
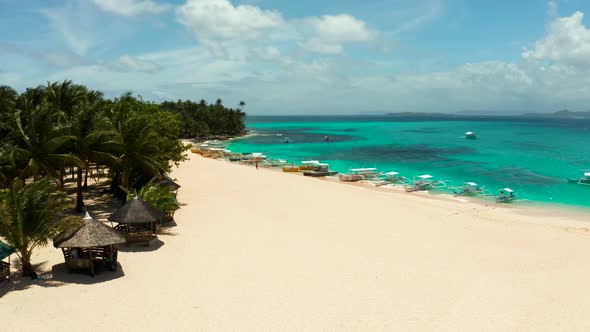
[567, 42]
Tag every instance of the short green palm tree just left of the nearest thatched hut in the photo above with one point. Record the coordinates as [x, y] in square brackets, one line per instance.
[29, 217]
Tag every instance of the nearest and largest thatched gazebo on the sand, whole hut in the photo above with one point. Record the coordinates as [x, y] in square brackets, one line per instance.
[91, 243]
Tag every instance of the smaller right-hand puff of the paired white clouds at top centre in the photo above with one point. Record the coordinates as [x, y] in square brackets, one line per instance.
[331, 33]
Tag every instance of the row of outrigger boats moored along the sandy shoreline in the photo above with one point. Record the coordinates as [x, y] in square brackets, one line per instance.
[315, 168]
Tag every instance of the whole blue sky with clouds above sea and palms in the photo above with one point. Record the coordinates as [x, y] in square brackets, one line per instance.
[309, 57]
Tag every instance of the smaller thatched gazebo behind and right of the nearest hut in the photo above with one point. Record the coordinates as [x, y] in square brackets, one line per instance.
[137, 220]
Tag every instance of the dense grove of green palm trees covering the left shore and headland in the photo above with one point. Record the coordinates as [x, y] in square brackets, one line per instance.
[61, 128]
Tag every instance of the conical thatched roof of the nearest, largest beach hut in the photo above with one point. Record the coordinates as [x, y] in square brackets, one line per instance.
[91, 233]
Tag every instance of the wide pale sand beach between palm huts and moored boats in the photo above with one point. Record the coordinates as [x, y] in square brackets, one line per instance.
[266, 251]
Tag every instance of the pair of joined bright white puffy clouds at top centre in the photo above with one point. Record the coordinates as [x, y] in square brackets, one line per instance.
[215, 22]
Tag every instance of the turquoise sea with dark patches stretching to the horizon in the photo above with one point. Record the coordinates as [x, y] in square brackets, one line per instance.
[533, 156]
